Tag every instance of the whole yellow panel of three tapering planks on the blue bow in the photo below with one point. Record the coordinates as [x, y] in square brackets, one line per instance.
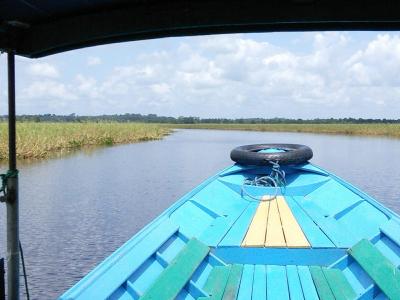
[274, 225]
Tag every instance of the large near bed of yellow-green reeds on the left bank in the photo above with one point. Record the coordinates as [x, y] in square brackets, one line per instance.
[41, 140]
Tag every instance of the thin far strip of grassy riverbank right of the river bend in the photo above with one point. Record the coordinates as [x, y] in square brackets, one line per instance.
[390, 130]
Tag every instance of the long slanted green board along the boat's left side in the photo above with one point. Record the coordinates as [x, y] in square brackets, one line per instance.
[178, 273]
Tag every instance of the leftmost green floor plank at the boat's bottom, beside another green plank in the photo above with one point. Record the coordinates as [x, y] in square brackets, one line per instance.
[216, 282]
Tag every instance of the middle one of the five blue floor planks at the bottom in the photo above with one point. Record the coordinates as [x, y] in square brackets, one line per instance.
[277, 283]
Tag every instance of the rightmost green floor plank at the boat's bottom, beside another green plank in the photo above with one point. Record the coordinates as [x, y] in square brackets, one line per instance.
[338, 283]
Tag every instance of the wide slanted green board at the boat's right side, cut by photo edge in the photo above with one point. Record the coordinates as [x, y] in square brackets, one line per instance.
[378, 267]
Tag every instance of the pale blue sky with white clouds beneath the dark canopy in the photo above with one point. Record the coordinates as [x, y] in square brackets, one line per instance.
[267, 75]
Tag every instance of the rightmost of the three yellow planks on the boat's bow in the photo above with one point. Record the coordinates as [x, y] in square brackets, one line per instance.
[294, 235]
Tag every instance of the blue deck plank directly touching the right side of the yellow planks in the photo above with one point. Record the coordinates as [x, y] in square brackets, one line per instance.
[314, 234]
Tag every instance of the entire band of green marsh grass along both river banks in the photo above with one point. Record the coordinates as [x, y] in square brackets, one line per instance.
[37, 140]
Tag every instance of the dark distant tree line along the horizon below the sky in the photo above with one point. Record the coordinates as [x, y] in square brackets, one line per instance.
[153, 118]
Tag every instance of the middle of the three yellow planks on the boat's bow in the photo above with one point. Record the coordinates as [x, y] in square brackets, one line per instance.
[274, 236]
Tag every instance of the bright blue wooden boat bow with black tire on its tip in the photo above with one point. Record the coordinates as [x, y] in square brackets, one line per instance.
[272, 226]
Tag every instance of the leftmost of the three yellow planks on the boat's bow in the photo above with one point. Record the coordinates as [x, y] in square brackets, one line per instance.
[255, 236]
